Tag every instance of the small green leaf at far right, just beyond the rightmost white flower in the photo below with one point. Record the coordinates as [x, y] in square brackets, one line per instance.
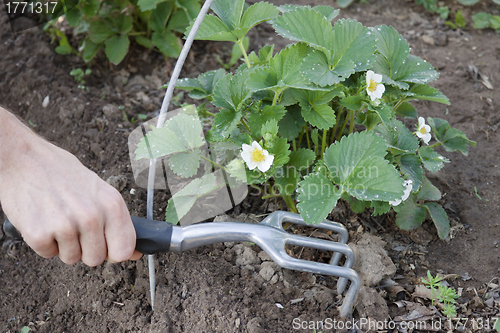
[451, 138]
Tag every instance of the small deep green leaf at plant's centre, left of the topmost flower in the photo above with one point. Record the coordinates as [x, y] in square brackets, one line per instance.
[315, 108]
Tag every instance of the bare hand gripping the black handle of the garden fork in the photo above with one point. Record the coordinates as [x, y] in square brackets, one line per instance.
[59, 206]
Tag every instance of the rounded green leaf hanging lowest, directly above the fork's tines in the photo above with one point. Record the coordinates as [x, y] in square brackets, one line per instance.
[317, 198]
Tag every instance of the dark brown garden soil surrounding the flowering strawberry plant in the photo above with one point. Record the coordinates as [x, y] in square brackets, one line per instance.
[206, 290]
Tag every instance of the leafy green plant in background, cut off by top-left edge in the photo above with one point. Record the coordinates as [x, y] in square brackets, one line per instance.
[110, 25]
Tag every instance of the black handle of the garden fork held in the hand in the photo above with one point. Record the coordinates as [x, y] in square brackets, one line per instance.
[152, 236]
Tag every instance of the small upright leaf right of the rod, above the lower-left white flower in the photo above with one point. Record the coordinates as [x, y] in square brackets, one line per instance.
[231, 91]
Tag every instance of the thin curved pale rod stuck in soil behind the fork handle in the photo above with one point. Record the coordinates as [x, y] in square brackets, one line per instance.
[161, 121]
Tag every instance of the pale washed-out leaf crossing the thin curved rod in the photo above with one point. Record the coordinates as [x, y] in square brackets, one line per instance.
[180, 133]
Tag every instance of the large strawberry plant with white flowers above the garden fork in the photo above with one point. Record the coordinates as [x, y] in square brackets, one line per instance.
[315, 122]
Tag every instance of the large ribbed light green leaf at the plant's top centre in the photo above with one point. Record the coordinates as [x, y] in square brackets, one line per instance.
[304, 24]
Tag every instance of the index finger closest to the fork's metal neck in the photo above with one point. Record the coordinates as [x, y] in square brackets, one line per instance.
[118, 229]
